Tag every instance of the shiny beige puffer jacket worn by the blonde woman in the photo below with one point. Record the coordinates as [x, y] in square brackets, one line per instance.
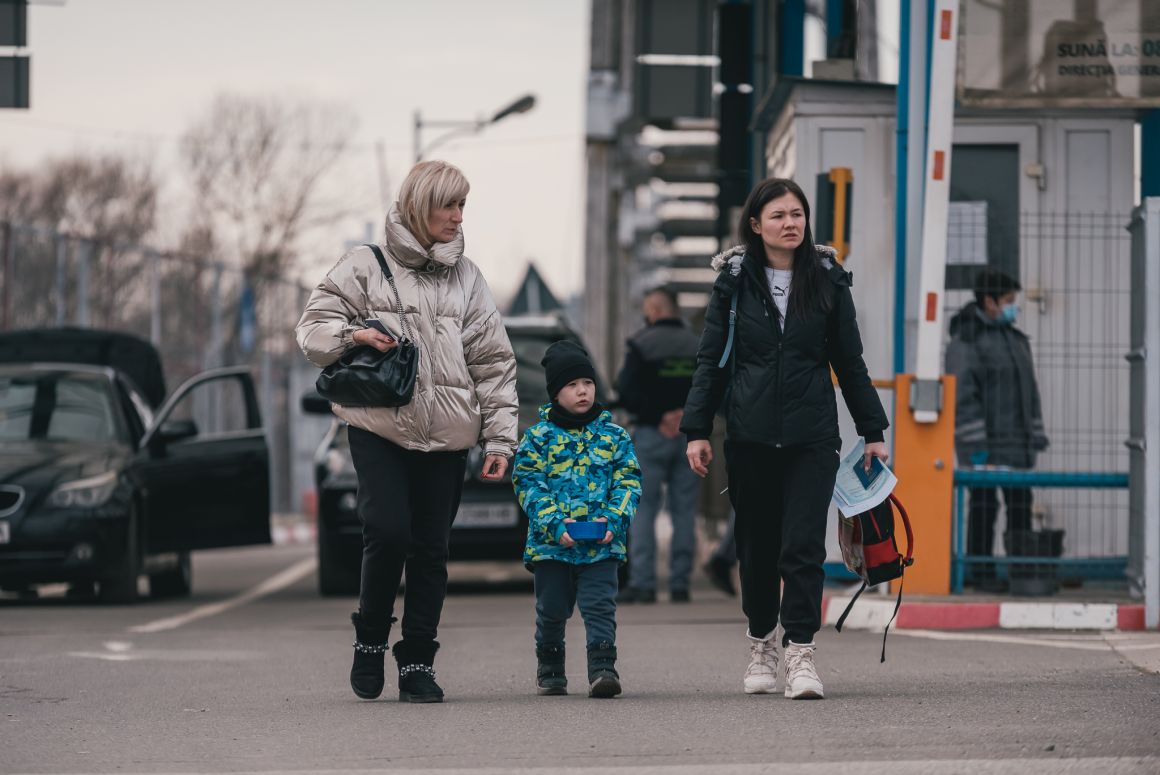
[466, 394]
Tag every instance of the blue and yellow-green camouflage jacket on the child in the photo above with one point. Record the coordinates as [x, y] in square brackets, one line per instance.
[583, 474]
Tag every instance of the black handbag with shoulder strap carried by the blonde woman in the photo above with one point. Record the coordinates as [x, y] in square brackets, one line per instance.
[365, 376]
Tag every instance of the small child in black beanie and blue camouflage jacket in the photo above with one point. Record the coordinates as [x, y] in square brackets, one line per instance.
[576, 466]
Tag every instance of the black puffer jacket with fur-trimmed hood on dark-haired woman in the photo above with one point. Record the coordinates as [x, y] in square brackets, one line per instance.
[782, 394]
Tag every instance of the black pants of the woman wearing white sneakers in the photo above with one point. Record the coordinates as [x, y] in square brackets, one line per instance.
[782, 503]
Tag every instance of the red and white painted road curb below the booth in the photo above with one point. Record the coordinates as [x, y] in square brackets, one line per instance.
[999, 615]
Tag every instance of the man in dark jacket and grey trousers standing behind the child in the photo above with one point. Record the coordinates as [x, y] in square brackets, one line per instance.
[654, 386]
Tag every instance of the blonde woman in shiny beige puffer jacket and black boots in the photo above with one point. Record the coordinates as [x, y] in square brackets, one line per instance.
[411, 460]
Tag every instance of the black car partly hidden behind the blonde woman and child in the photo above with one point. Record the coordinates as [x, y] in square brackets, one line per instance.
[489, 525]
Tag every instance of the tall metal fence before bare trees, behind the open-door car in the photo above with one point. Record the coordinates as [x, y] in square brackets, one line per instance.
[199, 314]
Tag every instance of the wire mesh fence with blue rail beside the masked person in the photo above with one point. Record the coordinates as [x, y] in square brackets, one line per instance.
[1075, 306]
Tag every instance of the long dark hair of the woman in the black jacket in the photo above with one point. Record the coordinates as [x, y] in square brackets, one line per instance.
[810, 289]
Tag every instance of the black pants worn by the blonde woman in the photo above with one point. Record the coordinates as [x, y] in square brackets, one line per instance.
[407, 502]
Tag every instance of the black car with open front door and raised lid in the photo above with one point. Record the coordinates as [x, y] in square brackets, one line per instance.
[104, 480]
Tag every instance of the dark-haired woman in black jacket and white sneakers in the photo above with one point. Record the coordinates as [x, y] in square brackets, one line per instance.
[795, 321]
